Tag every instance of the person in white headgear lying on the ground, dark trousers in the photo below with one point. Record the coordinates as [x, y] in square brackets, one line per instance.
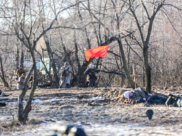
[139, 95]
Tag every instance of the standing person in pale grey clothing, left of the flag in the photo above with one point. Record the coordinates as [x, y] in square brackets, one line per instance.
[65, 75]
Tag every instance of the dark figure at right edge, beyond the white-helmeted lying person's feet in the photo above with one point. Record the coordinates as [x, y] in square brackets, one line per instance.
[174, 100]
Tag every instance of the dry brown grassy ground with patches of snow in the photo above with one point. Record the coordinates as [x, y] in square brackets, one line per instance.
[99, 111]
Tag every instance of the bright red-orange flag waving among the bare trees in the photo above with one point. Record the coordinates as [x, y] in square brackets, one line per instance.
[100, 51]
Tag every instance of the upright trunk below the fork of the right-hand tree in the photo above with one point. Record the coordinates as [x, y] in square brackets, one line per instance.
[147, 69]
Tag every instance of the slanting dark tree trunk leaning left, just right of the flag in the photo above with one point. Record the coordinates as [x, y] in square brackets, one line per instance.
[130, 80]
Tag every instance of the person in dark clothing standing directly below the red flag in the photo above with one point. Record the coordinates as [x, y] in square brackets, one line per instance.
[93, 75]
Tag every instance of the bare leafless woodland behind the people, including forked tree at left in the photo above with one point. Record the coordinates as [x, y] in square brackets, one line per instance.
[143, 36]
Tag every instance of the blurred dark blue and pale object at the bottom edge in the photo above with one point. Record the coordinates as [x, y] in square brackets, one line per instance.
[69, 130]
